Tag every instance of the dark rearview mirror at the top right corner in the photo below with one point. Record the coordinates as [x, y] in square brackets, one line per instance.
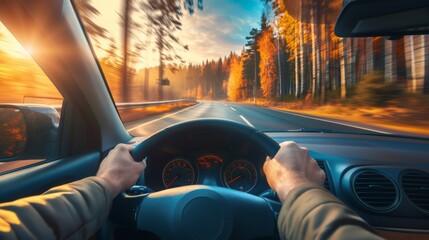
[392, 18]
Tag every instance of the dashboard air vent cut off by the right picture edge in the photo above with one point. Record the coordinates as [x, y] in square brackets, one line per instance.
[416, 187]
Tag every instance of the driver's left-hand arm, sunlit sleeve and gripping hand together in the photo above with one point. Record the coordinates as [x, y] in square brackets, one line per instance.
[75, 210]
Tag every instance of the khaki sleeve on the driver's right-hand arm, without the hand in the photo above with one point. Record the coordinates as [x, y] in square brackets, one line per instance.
[311, 212]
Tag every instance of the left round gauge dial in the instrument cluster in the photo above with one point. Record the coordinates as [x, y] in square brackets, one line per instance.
[178, 173]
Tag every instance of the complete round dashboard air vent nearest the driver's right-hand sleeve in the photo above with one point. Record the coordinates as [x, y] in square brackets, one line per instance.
[375, 190]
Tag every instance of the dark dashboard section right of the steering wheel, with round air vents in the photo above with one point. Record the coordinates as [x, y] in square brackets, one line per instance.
[384, 179]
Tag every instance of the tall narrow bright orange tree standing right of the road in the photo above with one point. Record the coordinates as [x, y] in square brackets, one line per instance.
[268, 64]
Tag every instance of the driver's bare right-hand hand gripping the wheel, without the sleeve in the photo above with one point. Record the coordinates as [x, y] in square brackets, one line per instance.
[291, 167]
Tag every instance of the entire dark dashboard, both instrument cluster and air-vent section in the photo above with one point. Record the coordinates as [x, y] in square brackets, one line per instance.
[384, 179]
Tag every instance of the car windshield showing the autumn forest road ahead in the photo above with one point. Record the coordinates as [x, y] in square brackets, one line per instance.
[258, 63]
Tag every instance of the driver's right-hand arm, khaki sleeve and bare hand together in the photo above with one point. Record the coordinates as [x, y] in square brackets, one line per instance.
[309, 211]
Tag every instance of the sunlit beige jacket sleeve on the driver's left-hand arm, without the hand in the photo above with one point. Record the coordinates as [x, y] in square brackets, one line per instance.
[70, 211]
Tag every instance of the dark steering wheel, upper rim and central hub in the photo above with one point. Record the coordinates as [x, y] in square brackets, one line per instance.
[198, 211]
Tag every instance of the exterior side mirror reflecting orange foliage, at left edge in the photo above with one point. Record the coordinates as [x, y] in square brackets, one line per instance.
[27, 131]
